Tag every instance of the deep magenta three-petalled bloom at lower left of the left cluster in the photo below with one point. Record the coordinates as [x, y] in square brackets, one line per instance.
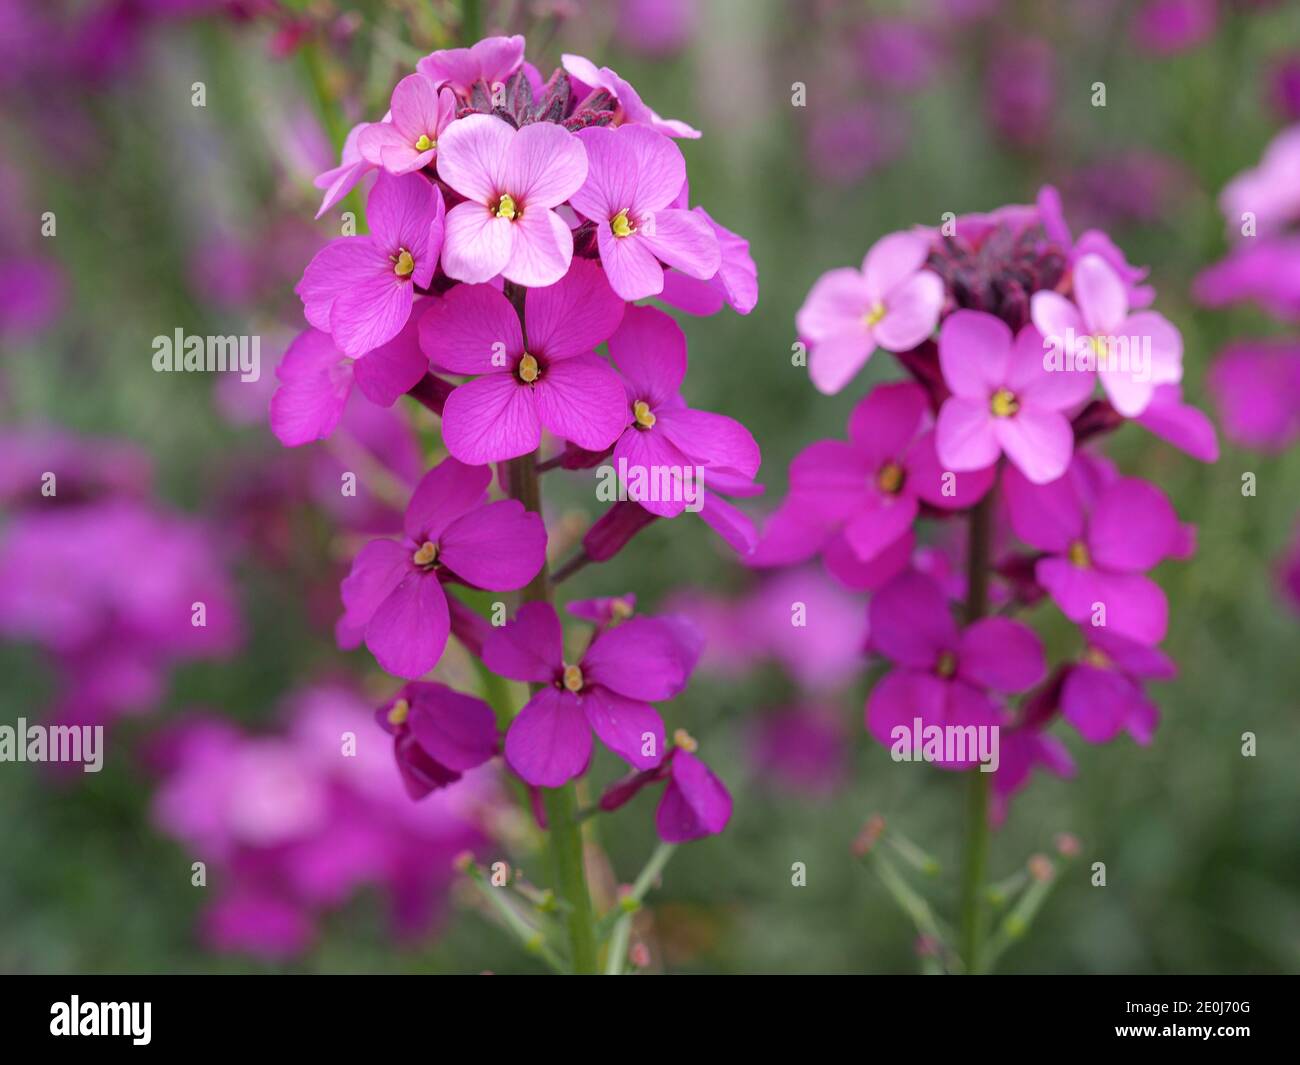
[452, 534]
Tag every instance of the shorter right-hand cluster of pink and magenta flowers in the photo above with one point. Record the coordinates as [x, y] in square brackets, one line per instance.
[1024, 348]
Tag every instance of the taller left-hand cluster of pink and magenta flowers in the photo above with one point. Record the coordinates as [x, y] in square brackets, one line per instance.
[515, 226]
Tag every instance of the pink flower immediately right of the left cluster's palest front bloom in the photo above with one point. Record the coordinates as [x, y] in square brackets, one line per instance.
[634, 177]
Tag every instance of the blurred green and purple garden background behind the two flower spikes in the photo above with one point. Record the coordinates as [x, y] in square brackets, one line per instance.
[172, 217]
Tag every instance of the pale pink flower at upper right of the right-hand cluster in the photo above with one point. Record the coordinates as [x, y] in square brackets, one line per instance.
[1134, 354]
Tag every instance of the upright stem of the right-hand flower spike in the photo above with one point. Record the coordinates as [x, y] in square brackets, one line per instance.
[976, 860]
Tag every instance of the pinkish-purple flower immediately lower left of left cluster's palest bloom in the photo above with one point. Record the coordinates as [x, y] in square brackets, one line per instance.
[361, 289]
